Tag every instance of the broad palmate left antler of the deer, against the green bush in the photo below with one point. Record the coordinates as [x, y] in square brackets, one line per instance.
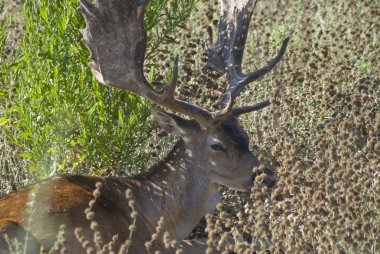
[116, 38]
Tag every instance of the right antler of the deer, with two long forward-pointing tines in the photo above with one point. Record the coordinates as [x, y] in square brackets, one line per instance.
[227, 53]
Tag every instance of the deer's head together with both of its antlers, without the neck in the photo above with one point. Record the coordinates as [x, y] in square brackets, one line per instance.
[117, 40]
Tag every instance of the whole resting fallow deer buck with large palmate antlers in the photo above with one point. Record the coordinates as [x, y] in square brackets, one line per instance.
[213, 149]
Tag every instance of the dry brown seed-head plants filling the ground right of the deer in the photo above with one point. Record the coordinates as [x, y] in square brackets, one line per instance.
[321, 134]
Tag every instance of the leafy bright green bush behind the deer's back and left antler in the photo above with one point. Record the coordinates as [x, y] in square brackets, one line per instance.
[64, 120]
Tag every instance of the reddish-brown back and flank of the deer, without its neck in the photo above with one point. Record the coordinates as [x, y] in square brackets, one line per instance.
[63, 200]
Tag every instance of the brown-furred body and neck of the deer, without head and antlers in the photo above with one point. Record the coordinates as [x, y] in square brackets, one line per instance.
[180, 189]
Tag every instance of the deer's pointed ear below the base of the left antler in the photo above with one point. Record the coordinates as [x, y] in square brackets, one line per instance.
[173, 123]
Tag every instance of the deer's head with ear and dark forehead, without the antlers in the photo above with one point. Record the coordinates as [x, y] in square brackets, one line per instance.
[220, 150]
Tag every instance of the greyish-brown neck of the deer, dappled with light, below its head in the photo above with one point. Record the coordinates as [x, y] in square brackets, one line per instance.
[178, 190]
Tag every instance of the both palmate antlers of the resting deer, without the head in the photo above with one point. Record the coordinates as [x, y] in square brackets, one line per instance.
[116, 38]
